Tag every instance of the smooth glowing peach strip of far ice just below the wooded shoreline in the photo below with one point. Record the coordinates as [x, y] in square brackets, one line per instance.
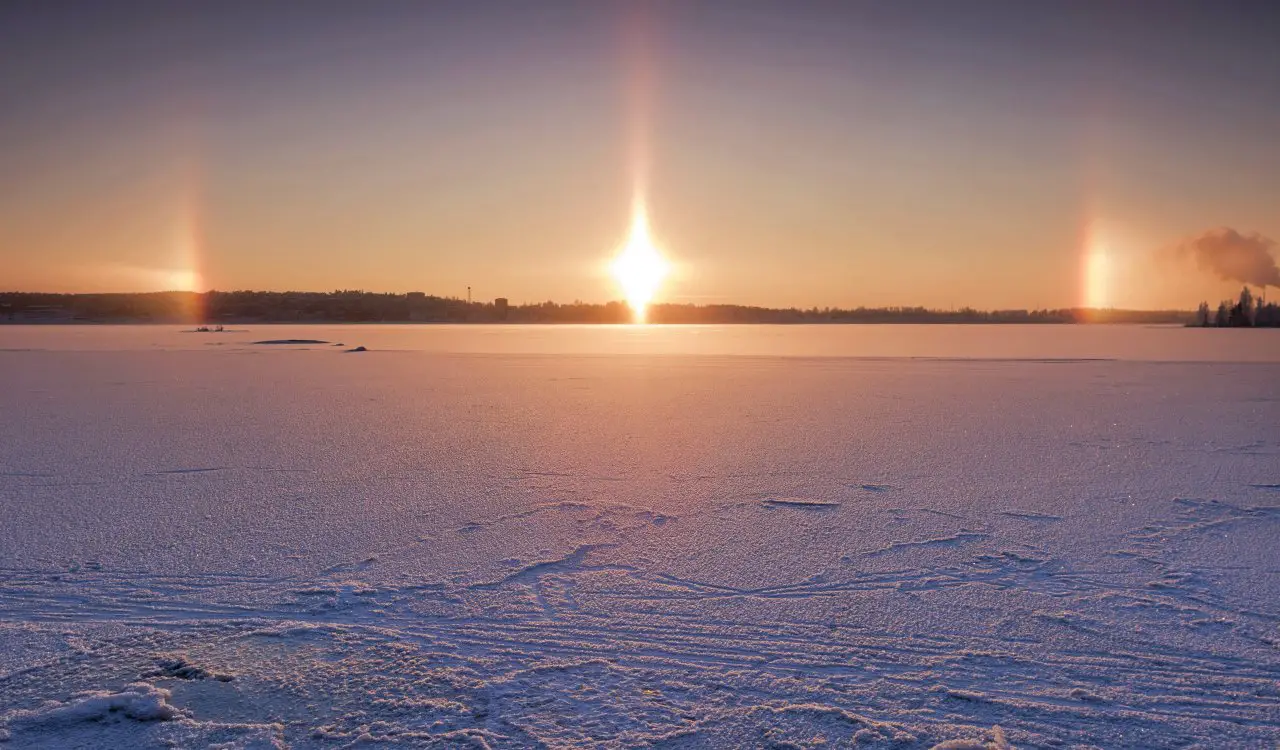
[1154, 344]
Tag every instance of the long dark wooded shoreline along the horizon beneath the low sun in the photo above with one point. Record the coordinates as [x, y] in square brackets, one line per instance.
[359, 307]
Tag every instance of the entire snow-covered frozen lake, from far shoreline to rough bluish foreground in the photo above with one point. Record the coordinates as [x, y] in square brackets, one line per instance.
[692, 537]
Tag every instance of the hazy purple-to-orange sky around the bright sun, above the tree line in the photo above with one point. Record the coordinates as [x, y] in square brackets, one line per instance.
[788, 154]
